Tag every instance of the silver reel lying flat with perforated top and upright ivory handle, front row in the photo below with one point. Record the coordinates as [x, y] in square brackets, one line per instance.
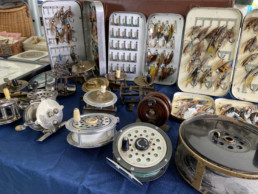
[91, 130]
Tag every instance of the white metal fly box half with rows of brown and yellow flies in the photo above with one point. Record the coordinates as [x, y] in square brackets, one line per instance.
[163, 48]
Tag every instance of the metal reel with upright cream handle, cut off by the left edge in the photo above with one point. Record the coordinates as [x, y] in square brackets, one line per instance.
[9, 109]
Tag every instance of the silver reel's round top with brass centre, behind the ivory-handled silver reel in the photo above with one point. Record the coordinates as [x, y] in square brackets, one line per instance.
[99, 99]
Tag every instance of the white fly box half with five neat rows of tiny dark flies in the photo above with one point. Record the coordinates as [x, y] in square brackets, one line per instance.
[126, 43]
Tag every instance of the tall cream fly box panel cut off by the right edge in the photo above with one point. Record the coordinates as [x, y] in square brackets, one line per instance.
[245, 81]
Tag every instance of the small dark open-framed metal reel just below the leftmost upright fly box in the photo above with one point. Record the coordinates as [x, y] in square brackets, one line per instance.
[61, 84]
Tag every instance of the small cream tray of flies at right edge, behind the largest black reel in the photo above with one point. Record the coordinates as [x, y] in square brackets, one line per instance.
[242, 110]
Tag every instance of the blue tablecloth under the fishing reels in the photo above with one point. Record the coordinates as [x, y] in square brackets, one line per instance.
[53, 166]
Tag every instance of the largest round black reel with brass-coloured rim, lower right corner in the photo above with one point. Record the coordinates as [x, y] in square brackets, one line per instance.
[218, 154]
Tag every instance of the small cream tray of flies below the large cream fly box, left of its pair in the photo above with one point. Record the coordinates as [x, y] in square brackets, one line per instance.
[186, 105]
